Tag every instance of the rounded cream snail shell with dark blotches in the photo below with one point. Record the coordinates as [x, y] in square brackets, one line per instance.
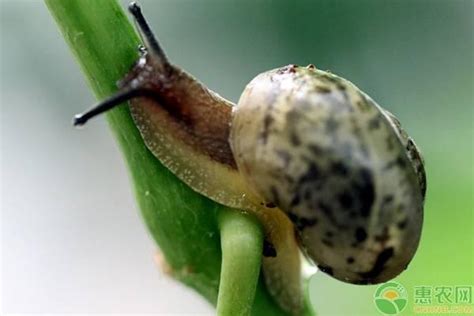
[339, 165]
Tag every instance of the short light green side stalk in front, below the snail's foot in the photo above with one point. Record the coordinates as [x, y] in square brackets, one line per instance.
[241, 242]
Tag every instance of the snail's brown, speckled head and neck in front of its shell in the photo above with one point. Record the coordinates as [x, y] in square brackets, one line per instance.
[186, 126]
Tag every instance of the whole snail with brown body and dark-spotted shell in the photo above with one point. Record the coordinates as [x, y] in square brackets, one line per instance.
[302, 149]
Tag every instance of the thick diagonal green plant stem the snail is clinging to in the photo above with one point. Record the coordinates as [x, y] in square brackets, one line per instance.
[183, 223]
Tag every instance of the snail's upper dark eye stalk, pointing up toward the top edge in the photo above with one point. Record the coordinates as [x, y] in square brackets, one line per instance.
[150, 41]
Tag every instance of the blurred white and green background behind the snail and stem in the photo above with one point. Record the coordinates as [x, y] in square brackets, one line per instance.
[67, 209]
